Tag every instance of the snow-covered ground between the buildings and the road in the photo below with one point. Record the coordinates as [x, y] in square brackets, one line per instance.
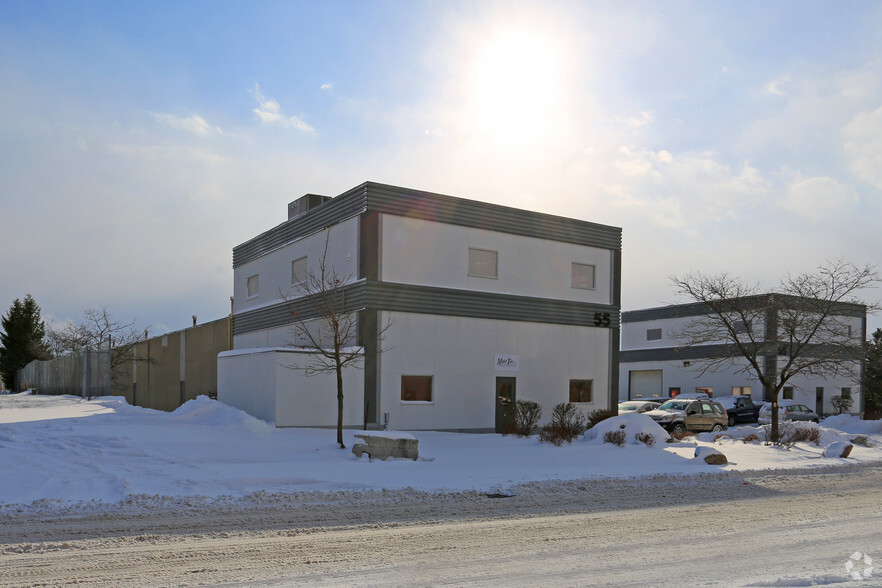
[64, 449]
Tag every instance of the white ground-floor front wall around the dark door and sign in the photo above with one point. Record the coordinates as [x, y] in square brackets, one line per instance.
[459, 353]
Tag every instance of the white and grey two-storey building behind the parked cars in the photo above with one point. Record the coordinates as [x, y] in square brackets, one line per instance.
[653, 364]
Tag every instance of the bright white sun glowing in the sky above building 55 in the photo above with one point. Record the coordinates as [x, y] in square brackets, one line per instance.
[517, 88]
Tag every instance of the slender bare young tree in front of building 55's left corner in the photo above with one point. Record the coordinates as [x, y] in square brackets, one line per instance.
[326, 325]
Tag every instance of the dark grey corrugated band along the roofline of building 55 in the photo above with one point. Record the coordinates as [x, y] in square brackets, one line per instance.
[435, 207]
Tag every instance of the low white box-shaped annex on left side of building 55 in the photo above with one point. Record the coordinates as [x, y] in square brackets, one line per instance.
[262, 383]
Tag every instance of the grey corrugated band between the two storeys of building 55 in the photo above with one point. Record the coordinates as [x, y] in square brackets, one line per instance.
[440, 301]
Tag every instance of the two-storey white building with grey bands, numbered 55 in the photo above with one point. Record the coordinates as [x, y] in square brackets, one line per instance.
[488, 304]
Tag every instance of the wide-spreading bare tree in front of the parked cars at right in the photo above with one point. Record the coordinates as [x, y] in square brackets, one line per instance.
[805, 327]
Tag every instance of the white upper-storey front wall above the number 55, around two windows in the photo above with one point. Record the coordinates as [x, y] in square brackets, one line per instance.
[416, 251]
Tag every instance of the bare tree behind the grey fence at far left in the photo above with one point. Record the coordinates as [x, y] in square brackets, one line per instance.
[97, 331]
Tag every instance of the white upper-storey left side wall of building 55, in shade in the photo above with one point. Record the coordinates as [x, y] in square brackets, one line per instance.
[274, 268]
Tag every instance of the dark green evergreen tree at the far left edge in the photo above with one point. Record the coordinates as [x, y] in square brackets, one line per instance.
[21, 338]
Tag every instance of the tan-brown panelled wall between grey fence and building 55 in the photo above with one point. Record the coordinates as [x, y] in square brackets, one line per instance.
[166, 371]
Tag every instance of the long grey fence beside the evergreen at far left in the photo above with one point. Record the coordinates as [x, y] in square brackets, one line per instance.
[83, 374]
